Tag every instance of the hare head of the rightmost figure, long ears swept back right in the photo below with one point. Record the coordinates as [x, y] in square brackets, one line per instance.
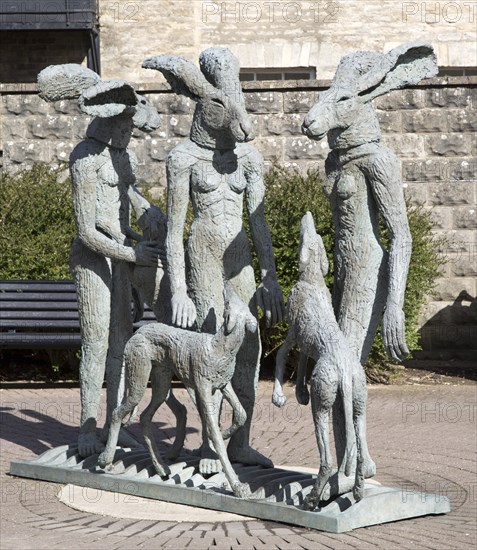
[361, 77]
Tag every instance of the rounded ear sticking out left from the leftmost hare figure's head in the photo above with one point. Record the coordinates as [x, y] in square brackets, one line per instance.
[65, 81]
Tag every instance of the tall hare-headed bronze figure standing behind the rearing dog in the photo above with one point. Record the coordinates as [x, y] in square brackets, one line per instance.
[363, 183]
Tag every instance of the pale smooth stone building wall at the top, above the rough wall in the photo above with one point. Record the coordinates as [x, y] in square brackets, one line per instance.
[265, 33]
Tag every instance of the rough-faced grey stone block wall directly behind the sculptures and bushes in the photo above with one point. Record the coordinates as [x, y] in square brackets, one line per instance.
[431, 127]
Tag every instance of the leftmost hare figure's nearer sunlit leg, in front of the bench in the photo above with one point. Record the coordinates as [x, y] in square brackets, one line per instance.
[92, 276]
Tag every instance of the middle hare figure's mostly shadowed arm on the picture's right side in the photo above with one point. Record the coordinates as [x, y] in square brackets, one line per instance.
[269, 294]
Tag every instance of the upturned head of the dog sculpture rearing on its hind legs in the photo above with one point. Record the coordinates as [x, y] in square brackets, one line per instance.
[312, 253]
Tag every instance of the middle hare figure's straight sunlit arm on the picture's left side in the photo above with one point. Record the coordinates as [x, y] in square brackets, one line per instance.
[178, 176]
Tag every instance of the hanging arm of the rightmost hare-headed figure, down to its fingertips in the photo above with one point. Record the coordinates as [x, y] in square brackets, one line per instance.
[385, 180]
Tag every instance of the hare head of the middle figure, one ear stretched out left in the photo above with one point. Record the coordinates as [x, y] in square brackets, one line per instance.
[220, 118]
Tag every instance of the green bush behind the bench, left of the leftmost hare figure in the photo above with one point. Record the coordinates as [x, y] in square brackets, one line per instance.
[36, 224]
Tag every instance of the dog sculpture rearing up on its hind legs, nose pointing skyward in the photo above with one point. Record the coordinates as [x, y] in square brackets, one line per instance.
[337, 371]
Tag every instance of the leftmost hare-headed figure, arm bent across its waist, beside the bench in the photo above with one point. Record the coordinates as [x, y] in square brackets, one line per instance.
[102, 172]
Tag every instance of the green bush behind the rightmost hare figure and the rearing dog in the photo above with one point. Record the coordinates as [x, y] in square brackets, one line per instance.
[289, 194]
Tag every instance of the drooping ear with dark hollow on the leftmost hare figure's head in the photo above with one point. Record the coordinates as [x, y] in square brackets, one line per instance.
[108, 98]
